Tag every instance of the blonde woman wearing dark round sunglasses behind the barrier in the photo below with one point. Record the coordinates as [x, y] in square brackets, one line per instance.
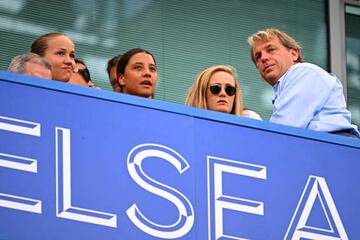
[216, 88]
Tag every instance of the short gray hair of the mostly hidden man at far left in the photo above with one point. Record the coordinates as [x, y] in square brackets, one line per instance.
[18, 63]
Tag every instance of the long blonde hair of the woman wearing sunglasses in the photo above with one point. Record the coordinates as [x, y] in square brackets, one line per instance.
[196, 96]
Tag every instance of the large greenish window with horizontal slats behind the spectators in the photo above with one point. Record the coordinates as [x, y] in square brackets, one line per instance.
[185, 36]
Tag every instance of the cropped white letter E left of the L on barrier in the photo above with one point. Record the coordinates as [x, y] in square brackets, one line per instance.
[19, 163]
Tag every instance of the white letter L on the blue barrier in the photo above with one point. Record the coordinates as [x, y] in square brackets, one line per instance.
[64, 208]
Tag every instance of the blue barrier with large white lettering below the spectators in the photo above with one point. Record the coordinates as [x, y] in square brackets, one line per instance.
[80, 163]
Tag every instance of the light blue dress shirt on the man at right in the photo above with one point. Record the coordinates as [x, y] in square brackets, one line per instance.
[307, 96]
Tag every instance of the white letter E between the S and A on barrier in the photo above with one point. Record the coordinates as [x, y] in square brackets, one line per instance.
[216, 168]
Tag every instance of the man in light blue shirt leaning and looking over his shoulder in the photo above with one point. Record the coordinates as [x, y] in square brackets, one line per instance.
[306, 96]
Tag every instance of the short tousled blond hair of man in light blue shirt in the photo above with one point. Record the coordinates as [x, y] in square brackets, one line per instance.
[270, 33]
